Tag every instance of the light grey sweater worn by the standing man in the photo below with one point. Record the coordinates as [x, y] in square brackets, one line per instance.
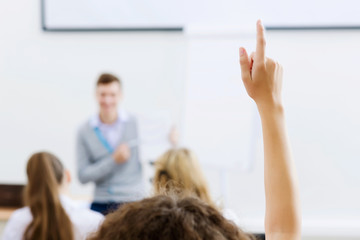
[113, 182]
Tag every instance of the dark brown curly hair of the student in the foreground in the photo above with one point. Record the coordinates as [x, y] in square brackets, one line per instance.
[168, 218]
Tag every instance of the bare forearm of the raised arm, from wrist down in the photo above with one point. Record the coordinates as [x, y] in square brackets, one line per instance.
[281, 191]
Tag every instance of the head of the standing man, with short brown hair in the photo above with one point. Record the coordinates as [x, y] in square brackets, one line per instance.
[108, 93]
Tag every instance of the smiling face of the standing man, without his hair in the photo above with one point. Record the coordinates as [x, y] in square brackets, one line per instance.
[108, 97]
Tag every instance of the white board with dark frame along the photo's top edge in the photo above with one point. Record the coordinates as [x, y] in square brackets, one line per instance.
[176, 15]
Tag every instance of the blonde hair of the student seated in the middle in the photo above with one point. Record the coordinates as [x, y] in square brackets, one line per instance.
[179, 170]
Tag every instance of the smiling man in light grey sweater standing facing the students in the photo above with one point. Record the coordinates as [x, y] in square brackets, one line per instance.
[107, 150]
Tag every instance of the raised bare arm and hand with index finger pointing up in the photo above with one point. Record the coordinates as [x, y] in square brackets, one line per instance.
[262, 78]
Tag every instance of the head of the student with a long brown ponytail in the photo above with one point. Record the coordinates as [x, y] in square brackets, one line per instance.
[46, 176]
